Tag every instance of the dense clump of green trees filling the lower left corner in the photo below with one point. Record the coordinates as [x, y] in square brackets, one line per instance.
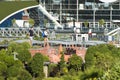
[11, 69]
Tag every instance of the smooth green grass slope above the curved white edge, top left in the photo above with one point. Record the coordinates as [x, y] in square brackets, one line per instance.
[8, 7]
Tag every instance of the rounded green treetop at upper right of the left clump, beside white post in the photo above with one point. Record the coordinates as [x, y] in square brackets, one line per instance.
[22, 50]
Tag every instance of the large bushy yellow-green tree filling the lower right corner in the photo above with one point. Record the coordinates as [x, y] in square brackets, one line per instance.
[103, 57]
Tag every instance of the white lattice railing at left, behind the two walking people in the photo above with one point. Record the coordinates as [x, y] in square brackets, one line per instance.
[18, 32]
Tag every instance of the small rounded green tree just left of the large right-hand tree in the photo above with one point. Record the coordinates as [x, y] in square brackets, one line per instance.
[75, 62]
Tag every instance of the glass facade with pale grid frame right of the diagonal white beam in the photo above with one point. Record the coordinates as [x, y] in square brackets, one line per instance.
[82, 10]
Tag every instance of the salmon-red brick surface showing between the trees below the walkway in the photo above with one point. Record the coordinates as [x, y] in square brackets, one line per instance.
[54, 55]
